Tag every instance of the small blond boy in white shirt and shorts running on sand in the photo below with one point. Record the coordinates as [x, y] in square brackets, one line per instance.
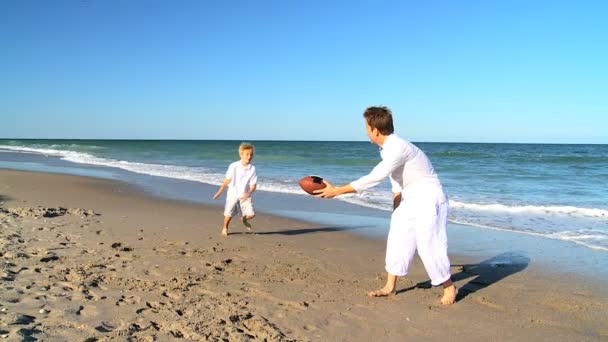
[241, 180]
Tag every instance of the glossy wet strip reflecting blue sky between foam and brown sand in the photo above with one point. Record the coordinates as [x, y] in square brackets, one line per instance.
[557, 256]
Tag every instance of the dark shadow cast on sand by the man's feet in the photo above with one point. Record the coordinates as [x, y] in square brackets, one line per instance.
[484, 274]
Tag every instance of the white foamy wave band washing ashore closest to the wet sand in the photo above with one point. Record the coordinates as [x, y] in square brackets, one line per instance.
[488, 216]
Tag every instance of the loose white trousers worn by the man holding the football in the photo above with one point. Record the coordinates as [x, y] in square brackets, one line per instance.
[419, 223]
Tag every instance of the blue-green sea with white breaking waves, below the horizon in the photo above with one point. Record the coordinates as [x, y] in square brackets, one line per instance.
[548, 191]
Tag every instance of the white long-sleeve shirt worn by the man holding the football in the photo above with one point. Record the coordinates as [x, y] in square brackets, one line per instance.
[403, 162]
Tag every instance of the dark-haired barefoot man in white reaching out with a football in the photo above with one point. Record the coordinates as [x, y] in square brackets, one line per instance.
[420, 206]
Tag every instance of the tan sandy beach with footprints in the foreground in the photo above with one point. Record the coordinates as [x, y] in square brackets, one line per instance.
[86, 259]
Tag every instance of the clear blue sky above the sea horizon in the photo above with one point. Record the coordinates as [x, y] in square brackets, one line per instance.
[467, 71]
